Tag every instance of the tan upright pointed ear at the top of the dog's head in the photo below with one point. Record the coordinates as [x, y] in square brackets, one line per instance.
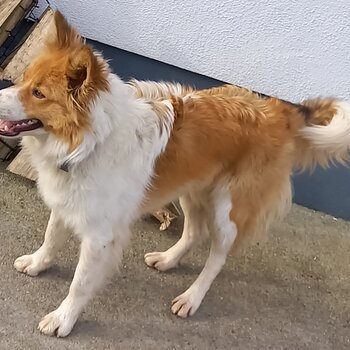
[64, 35]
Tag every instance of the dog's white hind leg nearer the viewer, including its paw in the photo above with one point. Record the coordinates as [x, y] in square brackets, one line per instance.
[222, 239]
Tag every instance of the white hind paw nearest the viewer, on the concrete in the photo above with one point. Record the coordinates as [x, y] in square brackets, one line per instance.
[186, 304]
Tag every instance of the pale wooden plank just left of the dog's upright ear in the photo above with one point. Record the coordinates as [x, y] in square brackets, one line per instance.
[31, 47]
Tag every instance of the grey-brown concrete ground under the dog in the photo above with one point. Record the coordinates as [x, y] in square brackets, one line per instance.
[291, 292]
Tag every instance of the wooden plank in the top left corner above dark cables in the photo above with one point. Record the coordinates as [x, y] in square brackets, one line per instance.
[9, 19]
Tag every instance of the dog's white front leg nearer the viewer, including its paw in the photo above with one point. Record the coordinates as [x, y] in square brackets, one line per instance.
[97, 257]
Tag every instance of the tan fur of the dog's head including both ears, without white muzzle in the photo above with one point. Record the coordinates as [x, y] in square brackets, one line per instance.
[70, 77]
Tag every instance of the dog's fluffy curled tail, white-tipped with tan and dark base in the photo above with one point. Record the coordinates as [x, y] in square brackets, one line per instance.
[325, 137]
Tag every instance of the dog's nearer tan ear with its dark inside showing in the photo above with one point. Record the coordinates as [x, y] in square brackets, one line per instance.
[86, 75]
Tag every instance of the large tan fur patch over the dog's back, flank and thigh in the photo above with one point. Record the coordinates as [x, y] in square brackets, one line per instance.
[244, 139]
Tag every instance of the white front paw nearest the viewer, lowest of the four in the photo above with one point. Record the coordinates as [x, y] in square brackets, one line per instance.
[58, 323]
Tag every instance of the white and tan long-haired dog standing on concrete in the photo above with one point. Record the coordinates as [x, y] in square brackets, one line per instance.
[107, 152]
